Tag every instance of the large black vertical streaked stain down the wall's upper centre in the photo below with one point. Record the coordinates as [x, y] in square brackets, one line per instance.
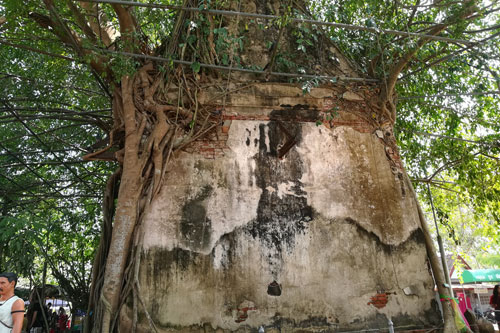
[280, 216]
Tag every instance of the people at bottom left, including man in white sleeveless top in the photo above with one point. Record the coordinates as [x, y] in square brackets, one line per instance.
[39, 316]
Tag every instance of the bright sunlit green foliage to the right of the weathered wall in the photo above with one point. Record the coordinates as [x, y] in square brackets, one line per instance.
[455, 134]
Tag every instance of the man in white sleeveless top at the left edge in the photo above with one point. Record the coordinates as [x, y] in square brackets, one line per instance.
[11, 306]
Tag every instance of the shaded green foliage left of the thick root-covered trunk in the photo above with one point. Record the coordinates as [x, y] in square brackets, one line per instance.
[52, 112]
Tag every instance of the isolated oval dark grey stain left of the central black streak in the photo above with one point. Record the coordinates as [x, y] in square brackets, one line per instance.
[195, 226]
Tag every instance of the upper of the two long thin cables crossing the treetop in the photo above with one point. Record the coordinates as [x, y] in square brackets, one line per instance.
[273, 17]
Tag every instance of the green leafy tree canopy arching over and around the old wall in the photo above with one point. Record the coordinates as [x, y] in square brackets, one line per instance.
[436, 62]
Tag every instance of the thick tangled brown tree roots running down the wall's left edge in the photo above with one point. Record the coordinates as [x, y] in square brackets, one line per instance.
[152, 130]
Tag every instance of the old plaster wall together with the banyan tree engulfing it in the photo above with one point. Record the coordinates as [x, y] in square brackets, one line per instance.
[259, 184]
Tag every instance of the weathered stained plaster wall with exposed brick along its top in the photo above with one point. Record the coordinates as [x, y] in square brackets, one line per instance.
[323, 238]
